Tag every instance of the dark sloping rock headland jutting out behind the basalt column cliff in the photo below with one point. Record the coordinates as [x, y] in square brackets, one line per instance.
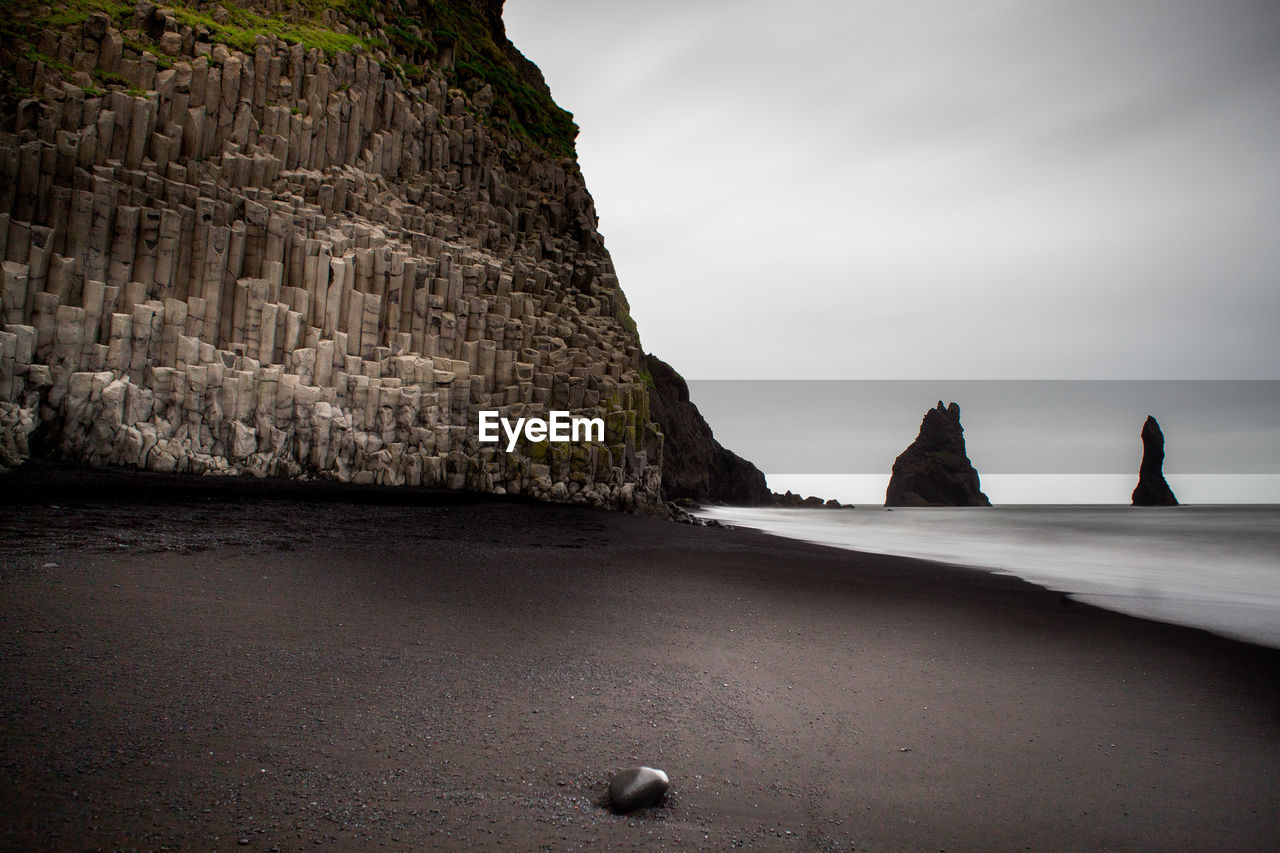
[694, 466]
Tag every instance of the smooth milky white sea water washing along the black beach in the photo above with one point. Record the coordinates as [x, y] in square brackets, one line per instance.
[1215, 568]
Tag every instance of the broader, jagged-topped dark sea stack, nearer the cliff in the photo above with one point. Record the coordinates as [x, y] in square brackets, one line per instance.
[935, 469]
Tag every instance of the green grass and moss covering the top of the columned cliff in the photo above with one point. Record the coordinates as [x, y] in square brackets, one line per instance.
[465, 39]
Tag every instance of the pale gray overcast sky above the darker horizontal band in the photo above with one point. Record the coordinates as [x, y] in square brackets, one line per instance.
[935, 190]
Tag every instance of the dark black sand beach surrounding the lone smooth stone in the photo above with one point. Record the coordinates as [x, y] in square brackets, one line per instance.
[198, 669]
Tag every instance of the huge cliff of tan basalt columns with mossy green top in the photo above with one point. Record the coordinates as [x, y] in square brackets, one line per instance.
[307, 244]
